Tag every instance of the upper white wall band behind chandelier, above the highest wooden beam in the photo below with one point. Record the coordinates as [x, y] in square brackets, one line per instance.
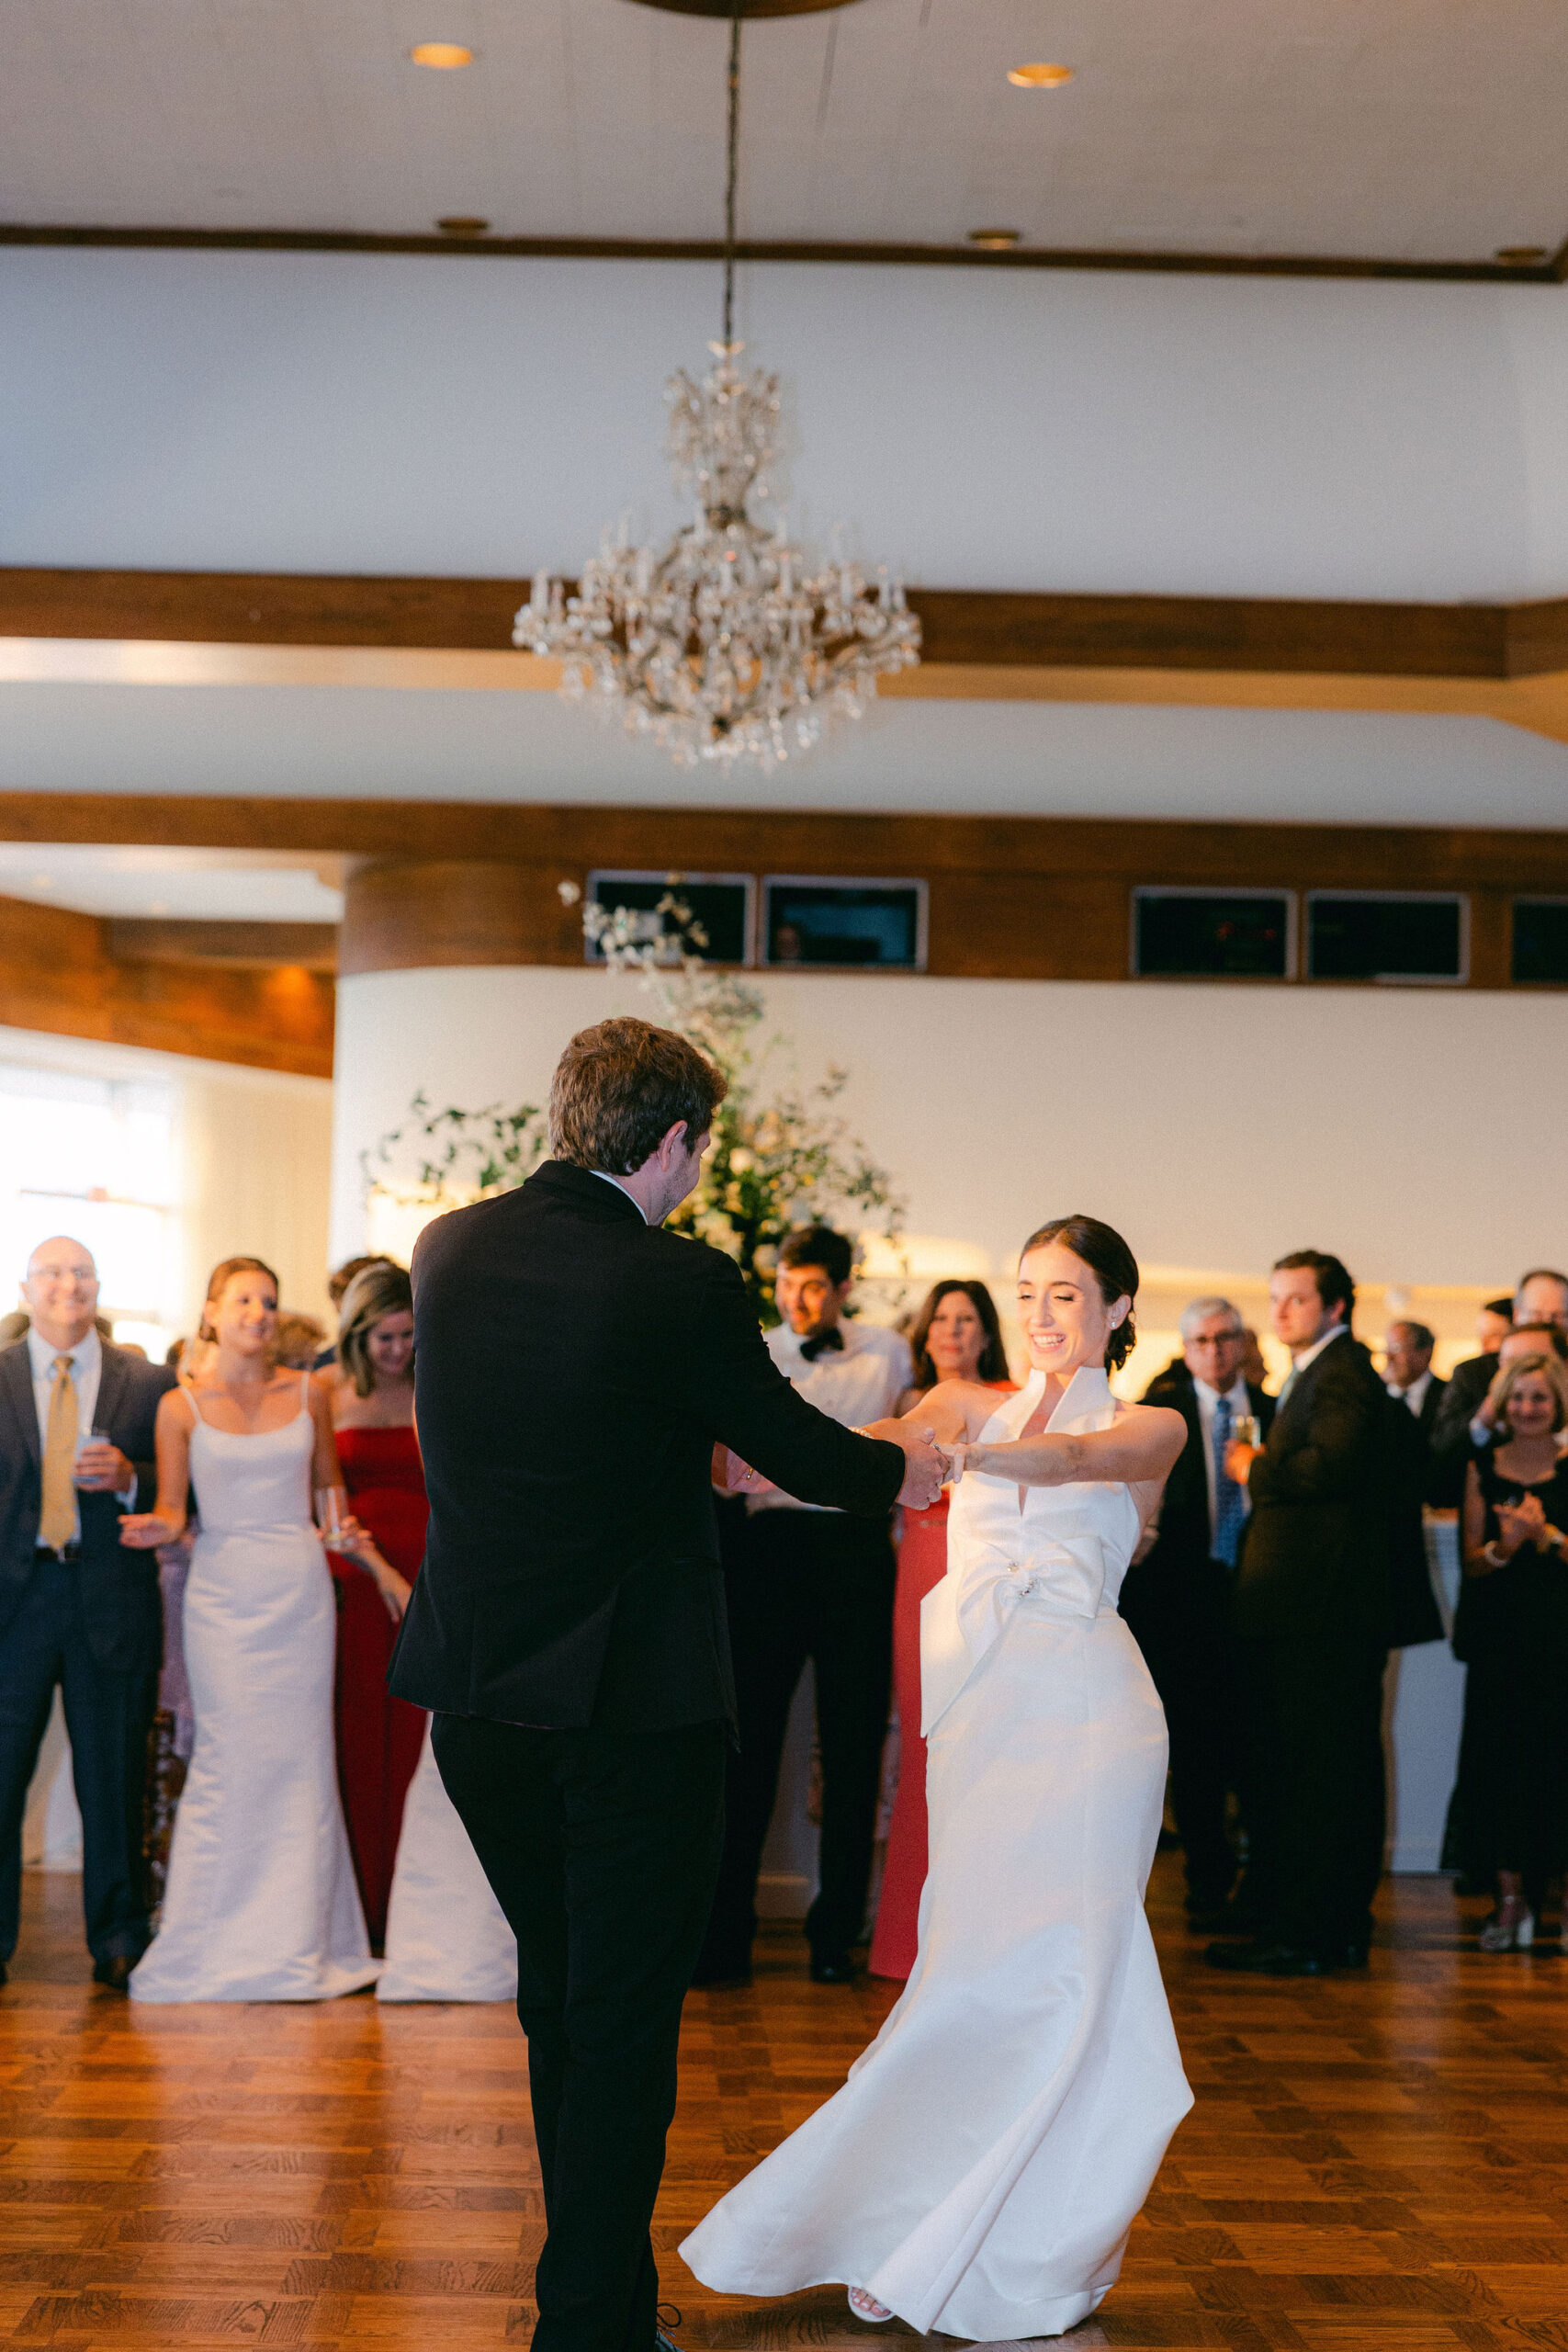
[349, 413]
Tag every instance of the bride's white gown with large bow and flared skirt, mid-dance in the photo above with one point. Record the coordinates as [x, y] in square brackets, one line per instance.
[986, 2160]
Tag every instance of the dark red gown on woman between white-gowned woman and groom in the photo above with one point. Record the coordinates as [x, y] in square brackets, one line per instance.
[380, 1737]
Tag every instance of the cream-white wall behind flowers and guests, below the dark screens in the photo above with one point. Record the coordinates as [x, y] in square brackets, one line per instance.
[1214, 1125]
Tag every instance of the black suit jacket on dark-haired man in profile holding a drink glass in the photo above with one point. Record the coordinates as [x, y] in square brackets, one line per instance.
[1334, 1544]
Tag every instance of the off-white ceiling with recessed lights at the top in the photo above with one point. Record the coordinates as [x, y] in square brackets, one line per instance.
[1414, 131]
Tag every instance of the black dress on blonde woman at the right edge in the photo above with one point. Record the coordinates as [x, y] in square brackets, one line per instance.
[1513, 1633]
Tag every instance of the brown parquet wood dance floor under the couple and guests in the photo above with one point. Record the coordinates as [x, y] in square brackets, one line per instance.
[1372, 2163]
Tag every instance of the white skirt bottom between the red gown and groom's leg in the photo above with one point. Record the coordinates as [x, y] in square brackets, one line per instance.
[445, 1932]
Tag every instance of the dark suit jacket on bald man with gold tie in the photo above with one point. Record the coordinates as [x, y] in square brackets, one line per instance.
[119, 1589]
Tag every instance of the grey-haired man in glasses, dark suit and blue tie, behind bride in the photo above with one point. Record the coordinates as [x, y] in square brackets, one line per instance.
[1179, 1591]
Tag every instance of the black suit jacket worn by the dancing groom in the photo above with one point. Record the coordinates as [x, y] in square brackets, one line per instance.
[575, 1368]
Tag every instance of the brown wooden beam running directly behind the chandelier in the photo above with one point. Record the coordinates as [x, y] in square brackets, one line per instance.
[963, 627]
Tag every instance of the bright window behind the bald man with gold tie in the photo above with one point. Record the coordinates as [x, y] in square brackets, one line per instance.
[93, 1158]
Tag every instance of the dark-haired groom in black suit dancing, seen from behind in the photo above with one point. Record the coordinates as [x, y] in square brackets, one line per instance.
[575, 1368]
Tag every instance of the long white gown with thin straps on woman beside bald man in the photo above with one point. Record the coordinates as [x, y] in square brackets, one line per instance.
[262, 1902]
